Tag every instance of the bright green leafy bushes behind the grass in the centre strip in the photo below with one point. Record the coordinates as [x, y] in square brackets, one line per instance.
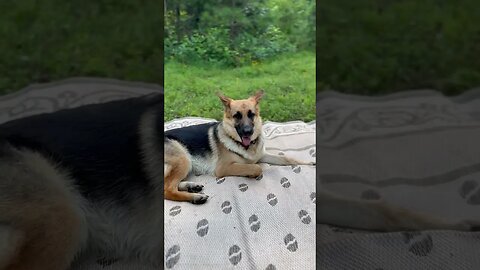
[235, 33]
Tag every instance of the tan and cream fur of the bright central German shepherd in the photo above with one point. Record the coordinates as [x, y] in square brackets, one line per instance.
[227, 162]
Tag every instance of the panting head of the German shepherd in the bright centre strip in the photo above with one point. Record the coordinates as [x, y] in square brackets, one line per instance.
[241, 118]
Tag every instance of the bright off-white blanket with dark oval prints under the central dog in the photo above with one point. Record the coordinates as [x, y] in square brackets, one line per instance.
[248, 223]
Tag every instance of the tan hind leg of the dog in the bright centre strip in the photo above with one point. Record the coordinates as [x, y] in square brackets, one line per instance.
[176, 168]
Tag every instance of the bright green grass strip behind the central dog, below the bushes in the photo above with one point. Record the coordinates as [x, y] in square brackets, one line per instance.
[288, 81]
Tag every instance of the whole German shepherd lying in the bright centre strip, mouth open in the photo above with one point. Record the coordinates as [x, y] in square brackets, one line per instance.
[232, 147]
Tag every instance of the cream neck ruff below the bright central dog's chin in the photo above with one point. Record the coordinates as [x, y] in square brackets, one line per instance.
[237, 147]
